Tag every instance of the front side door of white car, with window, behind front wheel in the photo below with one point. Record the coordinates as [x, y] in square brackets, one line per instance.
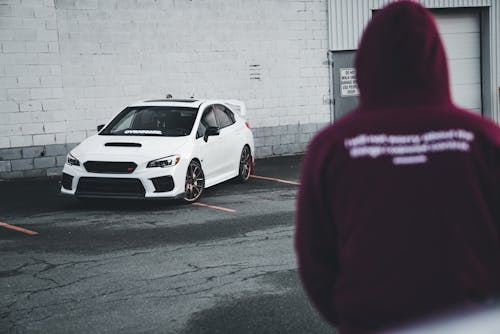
[210, 151]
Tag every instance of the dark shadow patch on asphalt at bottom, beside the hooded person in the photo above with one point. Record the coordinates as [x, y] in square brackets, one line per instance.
[266, 313]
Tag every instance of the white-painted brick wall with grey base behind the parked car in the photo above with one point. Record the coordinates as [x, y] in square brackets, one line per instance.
[68, 65]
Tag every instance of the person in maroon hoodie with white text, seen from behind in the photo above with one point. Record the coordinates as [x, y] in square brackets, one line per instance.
[398, 212]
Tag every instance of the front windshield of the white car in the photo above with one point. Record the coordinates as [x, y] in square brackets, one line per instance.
[152, 121]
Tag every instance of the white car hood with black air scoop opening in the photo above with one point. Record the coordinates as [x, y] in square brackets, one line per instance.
[128, 148]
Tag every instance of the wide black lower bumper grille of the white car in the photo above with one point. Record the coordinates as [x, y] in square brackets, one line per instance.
[110, 187]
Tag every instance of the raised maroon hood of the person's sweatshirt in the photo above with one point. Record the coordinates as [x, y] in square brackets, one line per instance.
[400, 64]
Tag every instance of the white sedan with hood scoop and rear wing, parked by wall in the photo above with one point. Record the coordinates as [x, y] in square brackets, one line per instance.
[167, 148]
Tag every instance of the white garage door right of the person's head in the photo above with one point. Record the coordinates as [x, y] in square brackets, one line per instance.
[461, 34]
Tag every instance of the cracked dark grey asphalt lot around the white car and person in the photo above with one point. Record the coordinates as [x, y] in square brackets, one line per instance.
[154, 267]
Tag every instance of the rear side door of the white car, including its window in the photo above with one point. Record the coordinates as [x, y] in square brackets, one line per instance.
[230, 140]
